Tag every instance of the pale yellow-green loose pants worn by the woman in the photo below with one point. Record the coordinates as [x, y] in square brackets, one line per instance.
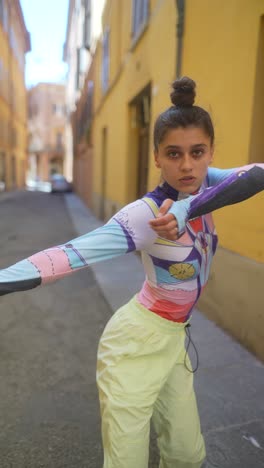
[141, 374]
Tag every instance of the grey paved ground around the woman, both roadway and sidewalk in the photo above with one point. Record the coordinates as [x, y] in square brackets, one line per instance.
[49, 413]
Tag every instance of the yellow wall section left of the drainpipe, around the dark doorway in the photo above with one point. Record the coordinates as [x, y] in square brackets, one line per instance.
[132, 67]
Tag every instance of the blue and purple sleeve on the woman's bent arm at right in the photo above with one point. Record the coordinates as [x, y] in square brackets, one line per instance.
[228, 187]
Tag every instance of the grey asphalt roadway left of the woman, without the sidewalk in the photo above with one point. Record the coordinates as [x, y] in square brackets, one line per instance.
[48, 397]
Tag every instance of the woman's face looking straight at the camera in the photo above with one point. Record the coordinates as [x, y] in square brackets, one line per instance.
[183, 157]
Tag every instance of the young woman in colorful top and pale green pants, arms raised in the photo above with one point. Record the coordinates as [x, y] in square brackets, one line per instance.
[143, 369]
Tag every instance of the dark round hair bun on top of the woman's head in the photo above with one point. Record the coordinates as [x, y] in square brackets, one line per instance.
[183, 94]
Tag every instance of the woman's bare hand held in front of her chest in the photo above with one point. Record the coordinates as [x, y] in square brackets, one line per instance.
[165, 225]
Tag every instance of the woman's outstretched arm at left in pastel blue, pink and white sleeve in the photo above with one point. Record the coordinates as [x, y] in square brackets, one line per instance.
[127, 231]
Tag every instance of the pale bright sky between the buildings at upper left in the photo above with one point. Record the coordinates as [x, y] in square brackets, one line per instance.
[46, 21]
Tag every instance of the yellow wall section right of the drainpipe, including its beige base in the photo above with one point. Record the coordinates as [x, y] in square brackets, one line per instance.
[224, 53]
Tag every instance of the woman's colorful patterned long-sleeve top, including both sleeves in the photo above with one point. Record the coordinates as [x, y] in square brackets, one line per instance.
[176, 271]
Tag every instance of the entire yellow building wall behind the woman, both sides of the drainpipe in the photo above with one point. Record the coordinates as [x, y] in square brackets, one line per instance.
[223, 51]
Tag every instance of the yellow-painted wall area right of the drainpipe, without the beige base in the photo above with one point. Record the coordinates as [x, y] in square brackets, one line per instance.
[220, 52]
